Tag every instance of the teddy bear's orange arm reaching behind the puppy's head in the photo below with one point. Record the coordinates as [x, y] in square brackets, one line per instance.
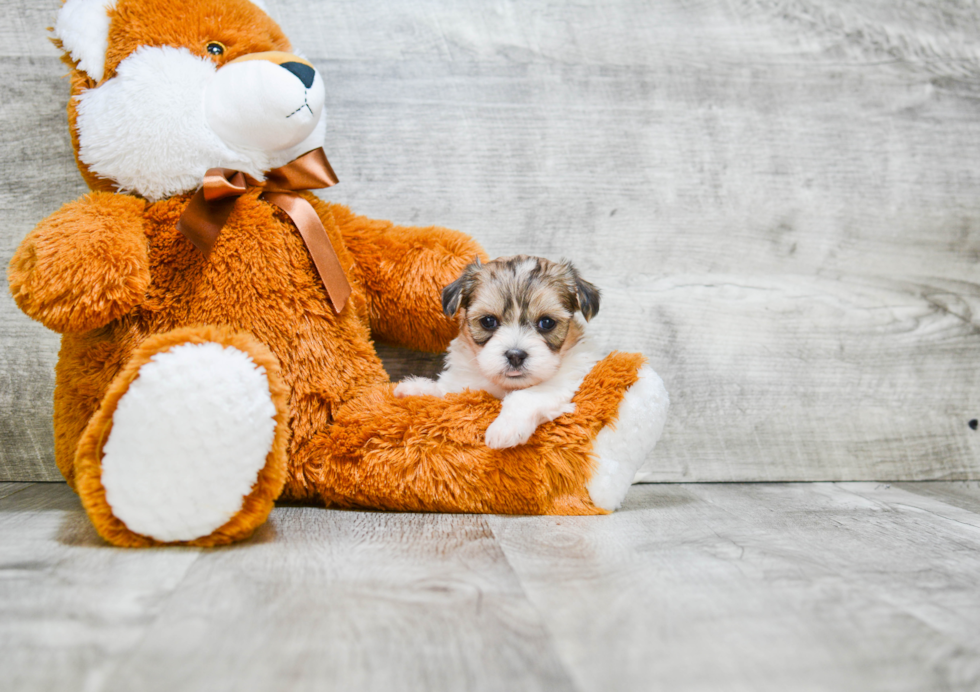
[403, 270]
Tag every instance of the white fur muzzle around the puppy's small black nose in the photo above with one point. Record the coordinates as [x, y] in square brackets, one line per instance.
[541, 362]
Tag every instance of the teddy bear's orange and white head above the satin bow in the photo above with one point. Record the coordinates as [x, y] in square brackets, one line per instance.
[163, 90]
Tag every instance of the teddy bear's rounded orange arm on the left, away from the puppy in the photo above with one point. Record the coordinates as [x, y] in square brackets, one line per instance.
[83, 266]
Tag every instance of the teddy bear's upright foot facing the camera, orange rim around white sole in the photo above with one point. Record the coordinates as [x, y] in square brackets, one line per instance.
[189, 443]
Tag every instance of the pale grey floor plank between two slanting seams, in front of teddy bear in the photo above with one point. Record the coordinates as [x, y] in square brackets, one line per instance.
[343, 600]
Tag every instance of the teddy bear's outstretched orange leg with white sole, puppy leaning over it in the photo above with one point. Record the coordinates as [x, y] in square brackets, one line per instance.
[426, 453]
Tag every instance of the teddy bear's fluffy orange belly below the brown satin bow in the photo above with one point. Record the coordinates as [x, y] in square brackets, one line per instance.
[259, 278]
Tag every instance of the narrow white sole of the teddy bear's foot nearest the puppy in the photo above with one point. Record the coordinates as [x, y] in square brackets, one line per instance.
[620, 449]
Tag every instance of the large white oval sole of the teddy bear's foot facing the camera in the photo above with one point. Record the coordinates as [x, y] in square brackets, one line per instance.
[188, 440]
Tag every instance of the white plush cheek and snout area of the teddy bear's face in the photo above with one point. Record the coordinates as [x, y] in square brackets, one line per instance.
[146, 128]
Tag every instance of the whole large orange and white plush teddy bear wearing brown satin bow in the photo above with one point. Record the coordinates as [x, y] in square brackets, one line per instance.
[218, 319]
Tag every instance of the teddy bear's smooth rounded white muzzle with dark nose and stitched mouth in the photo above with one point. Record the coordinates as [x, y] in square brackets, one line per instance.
[267, 101]
